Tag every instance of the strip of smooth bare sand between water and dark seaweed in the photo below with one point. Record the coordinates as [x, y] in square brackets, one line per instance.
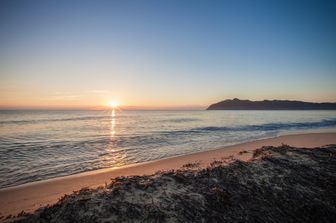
[30, 197]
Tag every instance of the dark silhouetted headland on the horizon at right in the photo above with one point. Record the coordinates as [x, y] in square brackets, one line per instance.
[237, 104]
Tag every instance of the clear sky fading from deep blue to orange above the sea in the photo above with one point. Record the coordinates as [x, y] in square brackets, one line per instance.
[165, 54]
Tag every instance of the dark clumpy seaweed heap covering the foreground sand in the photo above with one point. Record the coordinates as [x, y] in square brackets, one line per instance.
[280, 184]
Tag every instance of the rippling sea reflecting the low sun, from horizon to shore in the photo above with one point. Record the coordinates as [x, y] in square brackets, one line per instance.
[36, 145]
